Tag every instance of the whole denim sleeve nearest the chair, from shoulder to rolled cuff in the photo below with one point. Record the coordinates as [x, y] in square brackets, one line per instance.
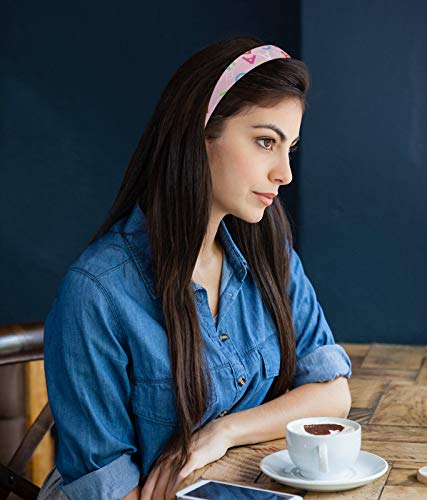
[89, 392]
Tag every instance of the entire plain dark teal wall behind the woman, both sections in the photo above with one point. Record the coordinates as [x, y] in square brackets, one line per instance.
[79, 82]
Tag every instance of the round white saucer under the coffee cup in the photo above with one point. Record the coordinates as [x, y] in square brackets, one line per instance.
[280, 467]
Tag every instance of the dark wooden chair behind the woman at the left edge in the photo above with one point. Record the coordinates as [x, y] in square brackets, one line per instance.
[19, 344]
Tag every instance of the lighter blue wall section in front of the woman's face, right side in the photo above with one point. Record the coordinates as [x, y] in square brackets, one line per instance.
[363, 171]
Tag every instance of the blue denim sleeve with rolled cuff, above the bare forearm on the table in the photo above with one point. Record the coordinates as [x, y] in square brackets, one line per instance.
[319, 358]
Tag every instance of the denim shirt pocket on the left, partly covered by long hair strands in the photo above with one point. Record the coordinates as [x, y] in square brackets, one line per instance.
[155, 400]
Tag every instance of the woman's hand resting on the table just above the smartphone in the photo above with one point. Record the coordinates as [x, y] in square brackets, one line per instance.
[209, 443]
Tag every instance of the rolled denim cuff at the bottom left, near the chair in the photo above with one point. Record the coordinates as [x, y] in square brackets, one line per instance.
[113, 481]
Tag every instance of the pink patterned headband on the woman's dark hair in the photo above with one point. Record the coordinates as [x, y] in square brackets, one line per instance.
[239, 67]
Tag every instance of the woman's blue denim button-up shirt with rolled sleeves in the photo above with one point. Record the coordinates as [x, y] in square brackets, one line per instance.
[107, 364]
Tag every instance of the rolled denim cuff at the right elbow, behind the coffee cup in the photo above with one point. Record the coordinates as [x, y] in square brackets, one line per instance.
[324, 364]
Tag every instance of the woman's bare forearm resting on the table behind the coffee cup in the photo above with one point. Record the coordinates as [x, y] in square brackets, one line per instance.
[268, 421]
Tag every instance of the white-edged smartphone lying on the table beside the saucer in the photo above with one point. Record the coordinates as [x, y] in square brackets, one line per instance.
[218, 490]
